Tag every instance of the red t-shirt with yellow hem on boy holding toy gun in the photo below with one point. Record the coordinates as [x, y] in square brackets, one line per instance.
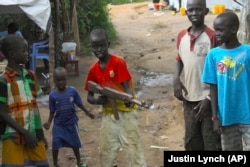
[113, 75]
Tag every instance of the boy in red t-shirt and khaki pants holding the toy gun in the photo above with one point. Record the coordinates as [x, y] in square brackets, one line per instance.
[111, 70]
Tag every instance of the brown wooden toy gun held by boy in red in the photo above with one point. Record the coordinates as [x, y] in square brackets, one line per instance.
[113, 95]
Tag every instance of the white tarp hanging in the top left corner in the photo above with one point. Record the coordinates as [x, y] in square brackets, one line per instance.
[37, 10]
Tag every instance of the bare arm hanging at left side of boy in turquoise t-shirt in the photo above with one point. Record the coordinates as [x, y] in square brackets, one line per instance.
[214, 105]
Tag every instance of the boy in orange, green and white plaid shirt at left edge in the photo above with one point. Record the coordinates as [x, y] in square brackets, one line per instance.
[22, 134]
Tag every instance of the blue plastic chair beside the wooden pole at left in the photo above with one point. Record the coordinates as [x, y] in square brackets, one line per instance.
[37, 54]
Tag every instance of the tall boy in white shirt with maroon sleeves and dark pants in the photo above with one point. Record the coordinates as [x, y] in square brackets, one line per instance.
[193, 44]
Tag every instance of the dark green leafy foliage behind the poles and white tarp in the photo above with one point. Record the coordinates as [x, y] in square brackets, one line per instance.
[91, 14]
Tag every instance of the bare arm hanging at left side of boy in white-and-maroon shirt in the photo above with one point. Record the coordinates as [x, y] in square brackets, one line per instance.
[178, 85]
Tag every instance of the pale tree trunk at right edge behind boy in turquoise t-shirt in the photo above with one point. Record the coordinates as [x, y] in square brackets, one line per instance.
[244, 30]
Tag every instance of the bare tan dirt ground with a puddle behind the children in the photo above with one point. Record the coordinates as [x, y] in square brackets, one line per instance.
[147, 42]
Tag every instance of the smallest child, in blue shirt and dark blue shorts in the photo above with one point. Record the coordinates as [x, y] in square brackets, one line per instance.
[62, 110]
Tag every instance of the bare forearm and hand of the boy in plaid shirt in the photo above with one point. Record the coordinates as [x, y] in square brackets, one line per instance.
[30, 139]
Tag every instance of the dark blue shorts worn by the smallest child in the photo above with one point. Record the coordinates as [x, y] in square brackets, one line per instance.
[65, 136]
